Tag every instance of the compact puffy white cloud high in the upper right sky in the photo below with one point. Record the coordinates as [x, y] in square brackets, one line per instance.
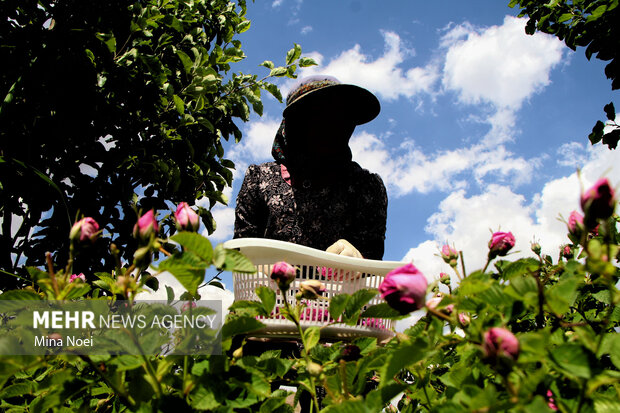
[498, 64]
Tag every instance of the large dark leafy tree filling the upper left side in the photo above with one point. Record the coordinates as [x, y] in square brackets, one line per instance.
[111, 107]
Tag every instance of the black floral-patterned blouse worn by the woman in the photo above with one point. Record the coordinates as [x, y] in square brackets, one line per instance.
[352, 205]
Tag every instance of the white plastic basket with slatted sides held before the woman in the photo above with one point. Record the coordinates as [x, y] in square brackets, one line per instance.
[340, 274]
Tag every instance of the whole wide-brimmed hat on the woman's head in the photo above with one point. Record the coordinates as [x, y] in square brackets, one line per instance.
[352, 101]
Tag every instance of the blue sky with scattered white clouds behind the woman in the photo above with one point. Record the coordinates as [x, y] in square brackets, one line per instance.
[482, 127]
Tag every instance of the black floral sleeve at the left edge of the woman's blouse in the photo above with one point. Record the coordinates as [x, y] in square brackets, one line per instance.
[250, 219]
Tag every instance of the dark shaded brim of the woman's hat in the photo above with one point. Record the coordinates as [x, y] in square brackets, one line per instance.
[352, 101]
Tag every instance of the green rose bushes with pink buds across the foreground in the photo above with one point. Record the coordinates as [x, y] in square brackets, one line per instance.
[562, 317]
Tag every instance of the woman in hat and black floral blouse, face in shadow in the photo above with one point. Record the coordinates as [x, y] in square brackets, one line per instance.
[313, 194]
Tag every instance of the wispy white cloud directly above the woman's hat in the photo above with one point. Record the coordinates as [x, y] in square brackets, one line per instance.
[383, 75]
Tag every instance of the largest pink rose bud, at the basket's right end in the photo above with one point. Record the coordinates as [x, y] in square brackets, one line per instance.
[404, 289]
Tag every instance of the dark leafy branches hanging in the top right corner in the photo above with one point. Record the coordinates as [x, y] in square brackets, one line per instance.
[593, 24]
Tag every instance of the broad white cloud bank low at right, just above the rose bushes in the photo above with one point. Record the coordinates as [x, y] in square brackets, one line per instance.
[465, 220]
